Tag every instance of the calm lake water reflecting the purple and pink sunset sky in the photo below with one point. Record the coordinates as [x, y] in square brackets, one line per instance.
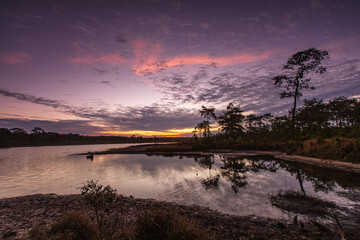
[230, 185]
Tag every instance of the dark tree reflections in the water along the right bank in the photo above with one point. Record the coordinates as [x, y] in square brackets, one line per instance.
[235, 169]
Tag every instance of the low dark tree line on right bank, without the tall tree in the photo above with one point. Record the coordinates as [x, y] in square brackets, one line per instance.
[338, 117]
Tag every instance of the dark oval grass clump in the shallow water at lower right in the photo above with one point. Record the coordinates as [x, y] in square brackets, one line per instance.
[297, 202]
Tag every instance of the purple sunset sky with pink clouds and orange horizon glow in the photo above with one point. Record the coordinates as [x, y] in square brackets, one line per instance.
[102, 67]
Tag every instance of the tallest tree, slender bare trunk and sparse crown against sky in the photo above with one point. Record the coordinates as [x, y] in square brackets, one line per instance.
[303, 63]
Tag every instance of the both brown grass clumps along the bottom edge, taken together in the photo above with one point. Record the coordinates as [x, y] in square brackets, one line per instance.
[156, 224]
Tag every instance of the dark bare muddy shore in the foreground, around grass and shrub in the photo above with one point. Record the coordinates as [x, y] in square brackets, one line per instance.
[18, 215]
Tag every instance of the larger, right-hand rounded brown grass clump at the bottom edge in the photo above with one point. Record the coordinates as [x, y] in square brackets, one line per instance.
[163, 225]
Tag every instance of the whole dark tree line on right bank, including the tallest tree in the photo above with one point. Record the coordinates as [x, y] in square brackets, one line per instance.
[315, 118]
